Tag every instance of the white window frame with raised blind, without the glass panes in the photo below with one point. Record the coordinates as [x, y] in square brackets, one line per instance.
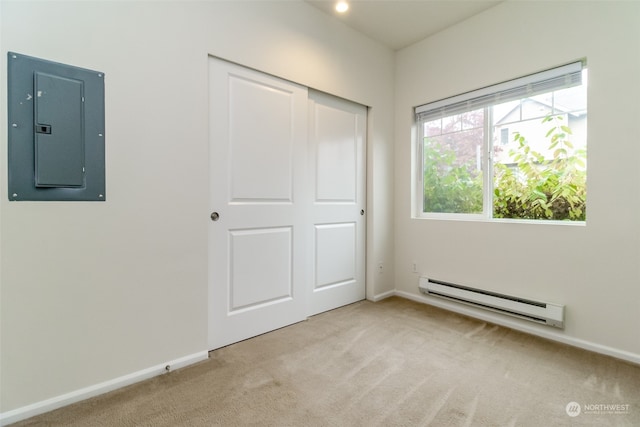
[542, 82]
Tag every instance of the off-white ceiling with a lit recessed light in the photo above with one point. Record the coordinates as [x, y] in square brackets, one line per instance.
[399, 23]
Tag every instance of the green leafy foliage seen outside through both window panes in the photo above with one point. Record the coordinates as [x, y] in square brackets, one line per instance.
[536, 188]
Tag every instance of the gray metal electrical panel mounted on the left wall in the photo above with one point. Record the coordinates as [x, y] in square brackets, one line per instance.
[56, 131]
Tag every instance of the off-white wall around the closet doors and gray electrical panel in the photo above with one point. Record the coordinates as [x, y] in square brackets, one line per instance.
[95, 291]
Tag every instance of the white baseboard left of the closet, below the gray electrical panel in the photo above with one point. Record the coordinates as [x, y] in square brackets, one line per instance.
[37, 408]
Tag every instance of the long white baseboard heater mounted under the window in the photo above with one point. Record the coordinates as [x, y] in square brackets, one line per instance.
[535, 311]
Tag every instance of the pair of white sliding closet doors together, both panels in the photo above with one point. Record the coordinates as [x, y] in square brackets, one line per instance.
[287, 188]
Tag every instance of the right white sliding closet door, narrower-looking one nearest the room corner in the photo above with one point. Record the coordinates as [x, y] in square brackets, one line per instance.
[337, 135]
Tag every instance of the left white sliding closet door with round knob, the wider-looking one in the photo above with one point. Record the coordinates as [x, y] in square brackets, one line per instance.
[257, 237]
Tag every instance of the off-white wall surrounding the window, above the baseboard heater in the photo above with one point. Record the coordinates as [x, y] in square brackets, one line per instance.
[593, 269]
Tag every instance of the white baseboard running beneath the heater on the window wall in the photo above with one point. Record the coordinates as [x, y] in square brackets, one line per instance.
[521, 326]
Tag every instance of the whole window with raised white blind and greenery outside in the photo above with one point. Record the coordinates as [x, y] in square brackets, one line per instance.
[514, 150]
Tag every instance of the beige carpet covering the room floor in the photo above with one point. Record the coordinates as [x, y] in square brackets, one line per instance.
[391, 363]
